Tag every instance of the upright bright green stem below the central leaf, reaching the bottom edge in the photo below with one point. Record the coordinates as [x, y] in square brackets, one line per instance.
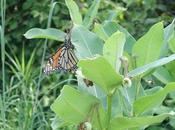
[109, 103]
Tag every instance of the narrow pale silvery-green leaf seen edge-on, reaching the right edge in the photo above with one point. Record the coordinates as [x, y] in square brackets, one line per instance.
[153, 65]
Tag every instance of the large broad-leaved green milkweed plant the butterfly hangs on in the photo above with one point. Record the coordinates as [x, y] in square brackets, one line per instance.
[122, 70]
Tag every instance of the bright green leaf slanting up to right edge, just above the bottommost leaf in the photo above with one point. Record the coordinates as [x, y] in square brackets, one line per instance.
[144, 103]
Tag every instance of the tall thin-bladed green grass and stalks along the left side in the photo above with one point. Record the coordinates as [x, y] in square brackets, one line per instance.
[20, 103]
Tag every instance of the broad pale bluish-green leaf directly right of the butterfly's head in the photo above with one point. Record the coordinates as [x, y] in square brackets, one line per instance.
[87, 44]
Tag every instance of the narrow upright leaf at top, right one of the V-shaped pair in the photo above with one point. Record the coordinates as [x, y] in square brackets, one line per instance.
[92, 12]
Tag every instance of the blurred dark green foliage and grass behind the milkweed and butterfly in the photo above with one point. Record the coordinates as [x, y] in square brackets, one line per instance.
[27, 103]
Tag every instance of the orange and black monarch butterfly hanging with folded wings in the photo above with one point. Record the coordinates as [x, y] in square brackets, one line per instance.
[64, 59]
